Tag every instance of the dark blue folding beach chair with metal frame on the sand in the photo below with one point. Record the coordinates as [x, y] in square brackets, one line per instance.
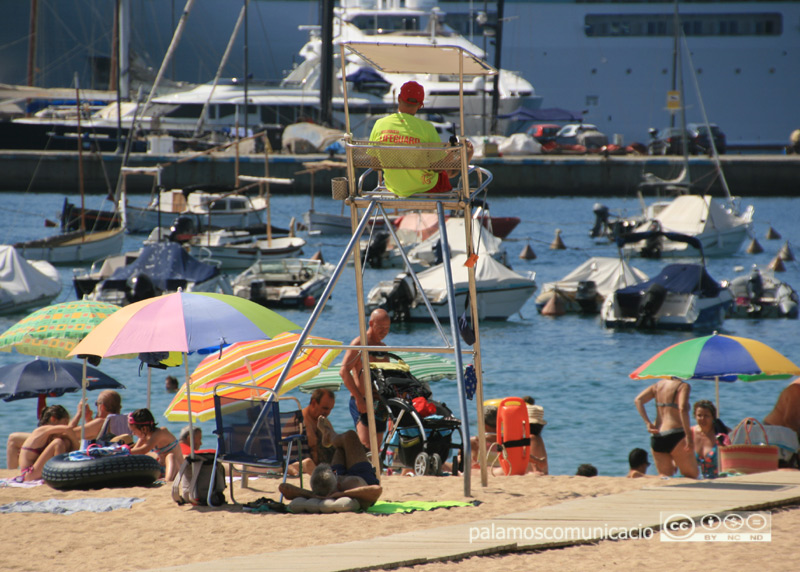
[254, 434]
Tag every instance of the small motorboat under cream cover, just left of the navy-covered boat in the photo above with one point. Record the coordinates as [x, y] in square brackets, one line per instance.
[584, 289]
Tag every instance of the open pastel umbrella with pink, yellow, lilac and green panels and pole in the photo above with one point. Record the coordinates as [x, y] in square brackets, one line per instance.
[182, 322]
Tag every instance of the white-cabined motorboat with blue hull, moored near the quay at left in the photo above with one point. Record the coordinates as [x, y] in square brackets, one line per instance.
[220, 210]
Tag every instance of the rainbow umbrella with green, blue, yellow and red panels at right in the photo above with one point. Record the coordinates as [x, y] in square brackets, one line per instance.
[719, 358]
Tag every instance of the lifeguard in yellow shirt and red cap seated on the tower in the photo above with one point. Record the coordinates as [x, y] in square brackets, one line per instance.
[405, 128]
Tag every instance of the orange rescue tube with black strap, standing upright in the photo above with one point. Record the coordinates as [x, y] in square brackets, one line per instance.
[513, 435]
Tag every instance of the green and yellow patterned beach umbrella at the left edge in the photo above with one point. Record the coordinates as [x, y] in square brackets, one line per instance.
[54, 330]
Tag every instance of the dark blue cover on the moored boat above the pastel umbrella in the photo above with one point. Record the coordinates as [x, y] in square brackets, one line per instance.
[167, 261]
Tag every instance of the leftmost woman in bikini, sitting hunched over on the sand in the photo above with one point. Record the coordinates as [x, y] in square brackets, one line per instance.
[52, 437]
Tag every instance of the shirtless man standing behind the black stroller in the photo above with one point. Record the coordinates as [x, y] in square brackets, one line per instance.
[353, 378]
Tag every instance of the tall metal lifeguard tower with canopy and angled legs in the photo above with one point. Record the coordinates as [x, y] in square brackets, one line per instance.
[364, 159]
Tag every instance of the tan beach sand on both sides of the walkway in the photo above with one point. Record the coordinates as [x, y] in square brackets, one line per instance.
[157, 532]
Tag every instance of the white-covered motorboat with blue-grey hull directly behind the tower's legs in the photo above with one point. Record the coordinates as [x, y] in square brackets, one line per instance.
[501, 291]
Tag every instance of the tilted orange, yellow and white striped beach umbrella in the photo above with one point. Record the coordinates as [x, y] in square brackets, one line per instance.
[254, 365]
